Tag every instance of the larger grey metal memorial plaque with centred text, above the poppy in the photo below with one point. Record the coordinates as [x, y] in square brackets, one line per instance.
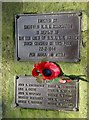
[55, 36]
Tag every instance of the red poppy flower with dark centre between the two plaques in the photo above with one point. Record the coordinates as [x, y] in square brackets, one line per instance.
[49, 70]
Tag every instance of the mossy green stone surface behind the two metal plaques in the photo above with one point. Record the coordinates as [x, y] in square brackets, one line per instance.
[11, 68]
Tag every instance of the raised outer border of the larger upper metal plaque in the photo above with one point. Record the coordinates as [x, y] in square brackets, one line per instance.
[78, 13]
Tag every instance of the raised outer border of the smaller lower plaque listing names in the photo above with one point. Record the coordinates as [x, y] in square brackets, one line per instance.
[75, 109]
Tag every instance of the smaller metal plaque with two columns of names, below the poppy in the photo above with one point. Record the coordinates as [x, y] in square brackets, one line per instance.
[54, 96]
